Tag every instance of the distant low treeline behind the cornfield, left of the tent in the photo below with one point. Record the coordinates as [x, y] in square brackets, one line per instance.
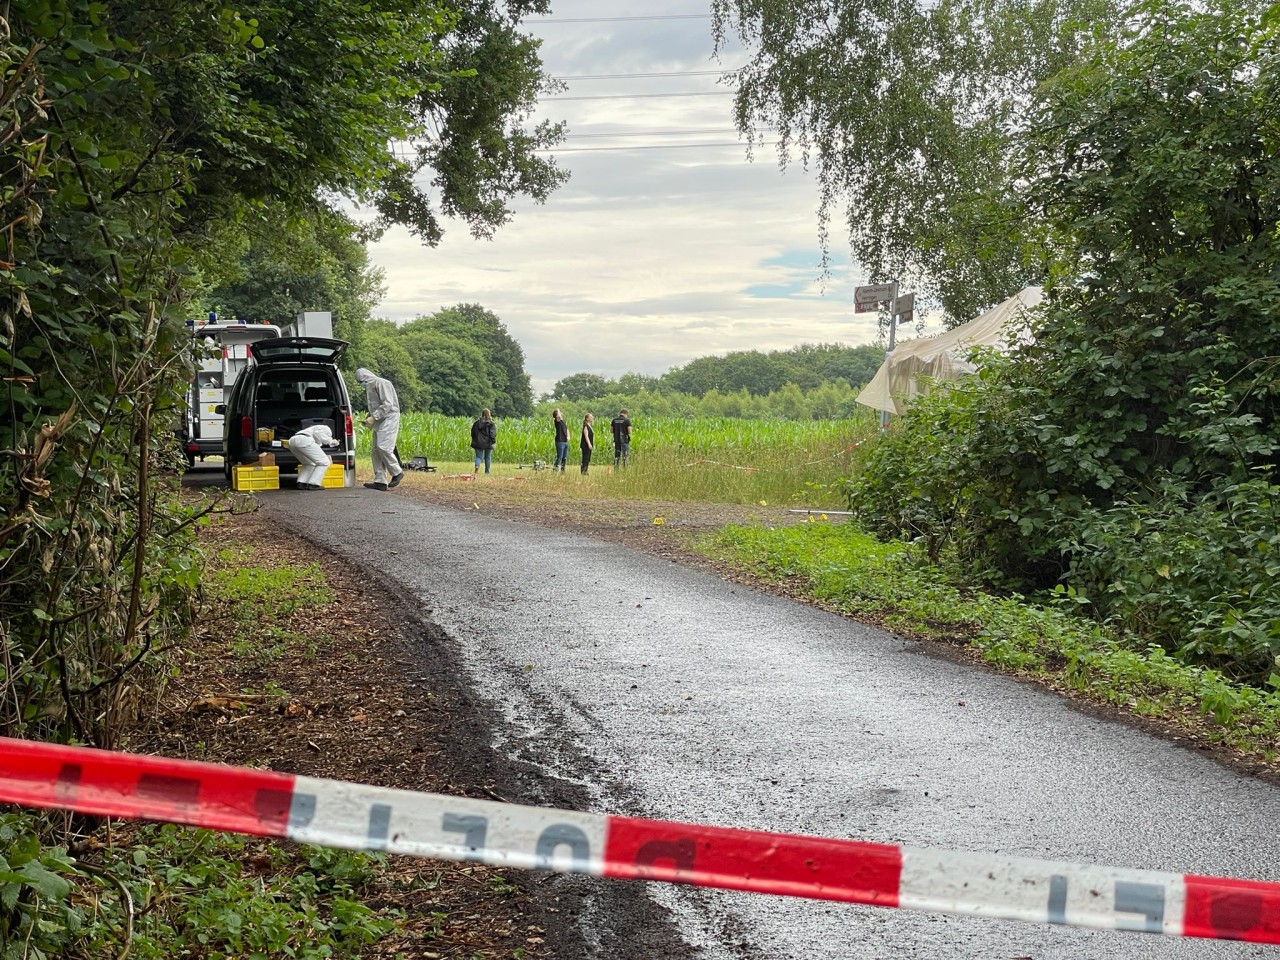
[811, 381]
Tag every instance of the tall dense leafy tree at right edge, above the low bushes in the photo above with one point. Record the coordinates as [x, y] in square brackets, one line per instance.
[1156, 162]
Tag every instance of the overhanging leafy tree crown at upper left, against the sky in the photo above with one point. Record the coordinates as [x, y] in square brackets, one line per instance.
[359, 99]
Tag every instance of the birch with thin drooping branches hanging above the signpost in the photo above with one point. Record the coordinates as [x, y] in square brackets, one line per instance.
[907, 113]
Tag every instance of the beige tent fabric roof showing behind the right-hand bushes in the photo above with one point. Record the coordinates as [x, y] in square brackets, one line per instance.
[913, 365]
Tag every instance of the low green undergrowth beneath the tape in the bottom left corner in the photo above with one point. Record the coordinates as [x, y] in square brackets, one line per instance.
[182, 893]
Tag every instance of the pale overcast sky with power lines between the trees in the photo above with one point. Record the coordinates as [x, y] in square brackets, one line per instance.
[668, 244]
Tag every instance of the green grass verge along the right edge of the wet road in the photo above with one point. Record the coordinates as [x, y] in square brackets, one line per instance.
[854, 574]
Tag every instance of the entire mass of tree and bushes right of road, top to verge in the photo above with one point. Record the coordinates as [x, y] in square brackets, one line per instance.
[1131, 455]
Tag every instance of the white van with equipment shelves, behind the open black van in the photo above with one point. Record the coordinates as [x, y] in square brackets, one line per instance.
[222, 351]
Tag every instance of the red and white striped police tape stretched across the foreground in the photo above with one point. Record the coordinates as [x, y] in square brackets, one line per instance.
[333, 813]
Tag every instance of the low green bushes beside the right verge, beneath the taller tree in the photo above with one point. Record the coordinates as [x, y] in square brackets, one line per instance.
[985, 488]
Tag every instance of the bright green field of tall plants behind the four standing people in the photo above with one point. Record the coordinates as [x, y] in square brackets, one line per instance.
[719, 460]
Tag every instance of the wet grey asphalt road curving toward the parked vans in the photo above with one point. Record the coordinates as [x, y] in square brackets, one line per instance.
[666, 693]
